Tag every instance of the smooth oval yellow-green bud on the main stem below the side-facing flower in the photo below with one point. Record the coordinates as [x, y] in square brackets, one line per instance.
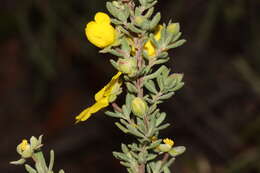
[139, 106]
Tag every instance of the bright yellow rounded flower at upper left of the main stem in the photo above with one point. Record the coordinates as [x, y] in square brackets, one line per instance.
[100, 32]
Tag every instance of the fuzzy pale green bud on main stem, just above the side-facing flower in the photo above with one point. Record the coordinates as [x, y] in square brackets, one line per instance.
[127, 66]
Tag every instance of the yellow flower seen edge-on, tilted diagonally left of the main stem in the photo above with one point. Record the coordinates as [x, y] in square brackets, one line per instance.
[103, 98]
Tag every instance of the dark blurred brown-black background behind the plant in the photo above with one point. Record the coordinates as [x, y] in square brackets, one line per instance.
[49, 72]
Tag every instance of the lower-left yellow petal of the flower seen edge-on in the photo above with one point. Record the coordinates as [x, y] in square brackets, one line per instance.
[83, 116]
